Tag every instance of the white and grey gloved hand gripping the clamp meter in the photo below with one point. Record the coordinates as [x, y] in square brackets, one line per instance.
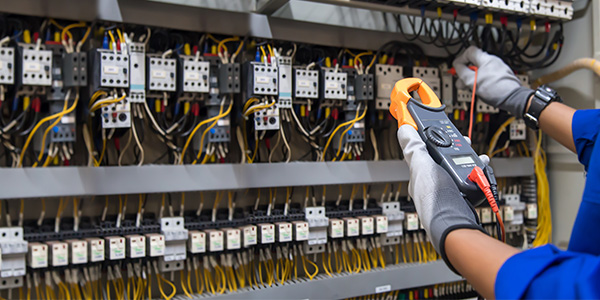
[439, 204]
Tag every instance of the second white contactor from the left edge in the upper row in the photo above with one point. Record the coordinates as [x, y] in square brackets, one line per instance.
[35, 67]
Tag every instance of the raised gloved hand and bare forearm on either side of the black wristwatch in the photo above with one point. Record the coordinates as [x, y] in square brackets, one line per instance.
[498, 86]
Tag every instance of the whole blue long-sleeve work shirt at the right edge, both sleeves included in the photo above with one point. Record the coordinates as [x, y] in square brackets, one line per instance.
[547, 272]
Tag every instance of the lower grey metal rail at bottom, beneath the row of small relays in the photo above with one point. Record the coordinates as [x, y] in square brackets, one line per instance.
[351, 285]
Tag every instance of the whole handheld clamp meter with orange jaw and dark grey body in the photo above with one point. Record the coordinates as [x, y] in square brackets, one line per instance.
[445, 143]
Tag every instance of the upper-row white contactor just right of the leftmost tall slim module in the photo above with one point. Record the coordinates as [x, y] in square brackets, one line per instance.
[162, 74]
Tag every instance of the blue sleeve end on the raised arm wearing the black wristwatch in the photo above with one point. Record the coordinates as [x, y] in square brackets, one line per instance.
[585, 127]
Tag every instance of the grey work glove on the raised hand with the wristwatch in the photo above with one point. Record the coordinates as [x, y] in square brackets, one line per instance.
[497, 85]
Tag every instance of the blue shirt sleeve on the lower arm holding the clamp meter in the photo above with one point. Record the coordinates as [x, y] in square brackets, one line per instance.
[548, 273]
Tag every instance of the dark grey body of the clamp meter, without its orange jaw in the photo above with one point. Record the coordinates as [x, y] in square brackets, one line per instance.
[458, 158]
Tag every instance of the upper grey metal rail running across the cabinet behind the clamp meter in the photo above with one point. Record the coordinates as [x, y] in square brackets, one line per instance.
[73, 181]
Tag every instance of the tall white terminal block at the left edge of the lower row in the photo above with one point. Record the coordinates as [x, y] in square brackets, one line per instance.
[13, 256]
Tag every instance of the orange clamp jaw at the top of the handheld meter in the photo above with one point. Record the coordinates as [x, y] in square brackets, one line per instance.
[401, 95]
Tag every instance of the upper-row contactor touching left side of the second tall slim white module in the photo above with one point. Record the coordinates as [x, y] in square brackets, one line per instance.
[262, 79]
